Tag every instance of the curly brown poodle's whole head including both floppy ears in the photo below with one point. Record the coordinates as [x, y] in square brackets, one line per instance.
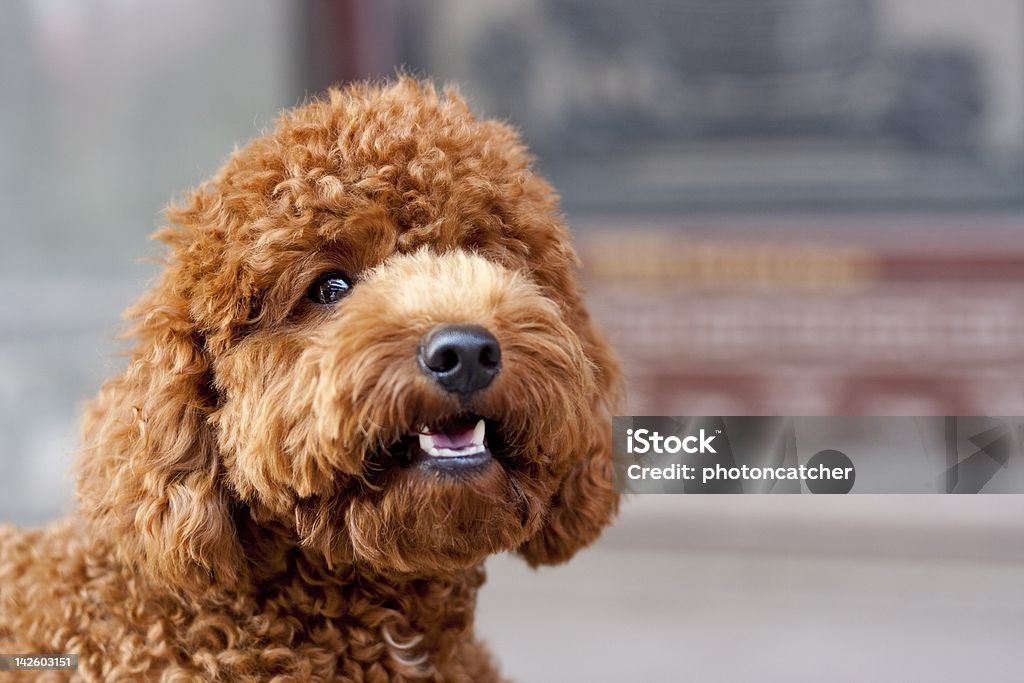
[368, 334]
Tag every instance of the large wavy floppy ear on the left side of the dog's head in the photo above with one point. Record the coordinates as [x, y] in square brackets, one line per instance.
[149, 476]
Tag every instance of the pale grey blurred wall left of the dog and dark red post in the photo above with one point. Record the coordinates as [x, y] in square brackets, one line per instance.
[108, 110]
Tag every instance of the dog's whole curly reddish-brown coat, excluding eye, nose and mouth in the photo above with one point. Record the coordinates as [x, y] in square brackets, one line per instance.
[242, 514]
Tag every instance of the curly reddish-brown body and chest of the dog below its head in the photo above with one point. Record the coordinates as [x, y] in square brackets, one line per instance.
[302, 622]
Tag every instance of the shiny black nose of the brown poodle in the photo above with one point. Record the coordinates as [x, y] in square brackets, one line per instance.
[462, 359]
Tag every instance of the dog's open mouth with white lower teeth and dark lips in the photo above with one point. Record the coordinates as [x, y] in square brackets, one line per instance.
[457, 444]
